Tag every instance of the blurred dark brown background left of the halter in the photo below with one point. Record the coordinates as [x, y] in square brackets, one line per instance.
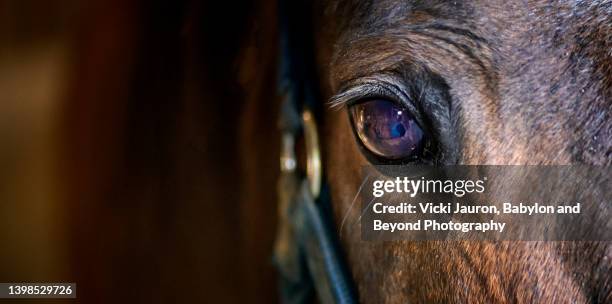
[138, 149]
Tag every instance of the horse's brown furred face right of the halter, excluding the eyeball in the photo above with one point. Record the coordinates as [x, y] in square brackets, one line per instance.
[492, 82]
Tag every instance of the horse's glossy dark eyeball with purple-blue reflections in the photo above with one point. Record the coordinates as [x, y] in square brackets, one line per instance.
[387, 129]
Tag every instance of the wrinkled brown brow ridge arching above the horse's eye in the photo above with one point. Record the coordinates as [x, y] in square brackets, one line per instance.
[384, 49]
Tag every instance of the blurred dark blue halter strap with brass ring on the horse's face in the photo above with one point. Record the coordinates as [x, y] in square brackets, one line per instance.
[307, 252]
